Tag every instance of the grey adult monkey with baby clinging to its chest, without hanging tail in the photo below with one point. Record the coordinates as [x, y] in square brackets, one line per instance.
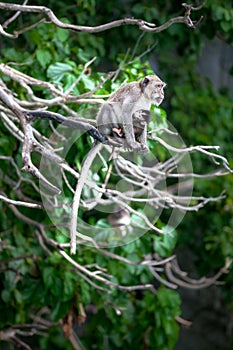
[124, 117]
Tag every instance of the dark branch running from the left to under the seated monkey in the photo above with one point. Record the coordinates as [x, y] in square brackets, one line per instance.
[75, 124]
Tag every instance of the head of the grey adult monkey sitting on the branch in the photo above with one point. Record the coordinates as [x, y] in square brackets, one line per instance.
[152, 88]
